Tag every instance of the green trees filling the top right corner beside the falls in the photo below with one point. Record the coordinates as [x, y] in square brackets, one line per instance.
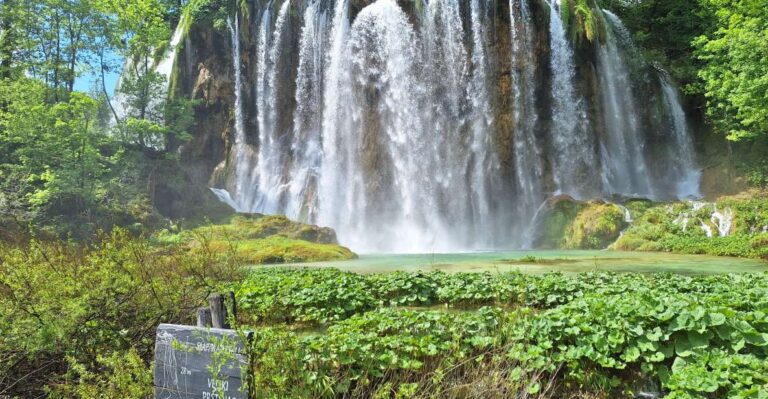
[714, 48]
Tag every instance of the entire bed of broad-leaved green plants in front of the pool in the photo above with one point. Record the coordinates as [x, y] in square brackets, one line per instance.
[598, 333]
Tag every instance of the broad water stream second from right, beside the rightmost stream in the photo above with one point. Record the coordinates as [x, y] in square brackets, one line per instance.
[622, 152]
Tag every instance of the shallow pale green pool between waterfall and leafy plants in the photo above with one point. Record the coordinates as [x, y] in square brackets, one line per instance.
[545, 261]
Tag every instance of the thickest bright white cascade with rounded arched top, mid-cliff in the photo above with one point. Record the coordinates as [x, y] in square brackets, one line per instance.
[393, 148]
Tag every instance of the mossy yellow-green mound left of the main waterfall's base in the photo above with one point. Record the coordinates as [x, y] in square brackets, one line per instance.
[267, 239]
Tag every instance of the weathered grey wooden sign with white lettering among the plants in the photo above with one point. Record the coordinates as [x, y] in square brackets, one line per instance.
[199, 363]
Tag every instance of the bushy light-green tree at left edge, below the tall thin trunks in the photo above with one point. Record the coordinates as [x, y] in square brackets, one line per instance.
[52, 162]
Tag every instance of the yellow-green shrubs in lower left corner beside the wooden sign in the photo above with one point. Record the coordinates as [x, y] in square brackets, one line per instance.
[80, 321]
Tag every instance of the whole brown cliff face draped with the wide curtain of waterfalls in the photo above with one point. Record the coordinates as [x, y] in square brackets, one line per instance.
[414, 125]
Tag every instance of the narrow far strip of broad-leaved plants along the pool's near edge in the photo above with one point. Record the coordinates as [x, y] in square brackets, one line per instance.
[320, 296]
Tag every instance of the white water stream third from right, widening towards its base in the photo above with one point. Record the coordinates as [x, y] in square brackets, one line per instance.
[573, 154]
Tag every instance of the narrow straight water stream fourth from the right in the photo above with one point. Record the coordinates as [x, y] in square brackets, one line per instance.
[528, 157]
